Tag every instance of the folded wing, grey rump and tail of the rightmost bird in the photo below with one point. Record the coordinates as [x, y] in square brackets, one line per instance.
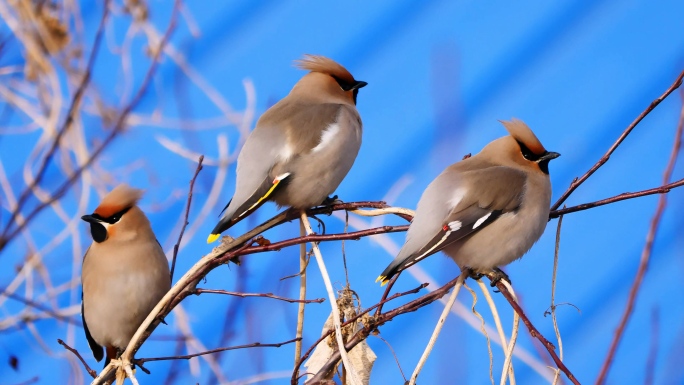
[479, 197]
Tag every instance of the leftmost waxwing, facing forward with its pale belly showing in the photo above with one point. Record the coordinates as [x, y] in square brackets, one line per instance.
[125, 272]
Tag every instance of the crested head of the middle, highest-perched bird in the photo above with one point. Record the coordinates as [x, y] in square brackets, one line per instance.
[329, 75]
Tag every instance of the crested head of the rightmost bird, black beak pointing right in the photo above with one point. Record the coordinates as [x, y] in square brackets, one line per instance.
[521, 148]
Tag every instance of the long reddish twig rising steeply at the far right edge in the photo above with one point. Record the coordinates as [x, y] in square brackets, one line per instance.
[645, 254]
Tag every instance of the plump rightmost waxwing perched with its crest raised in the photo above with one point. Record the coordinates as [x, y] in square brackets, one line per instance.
[484, 211]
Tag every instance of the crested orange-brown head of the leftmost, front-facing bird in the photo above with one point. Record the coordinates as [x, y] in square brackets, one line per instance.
[117, 215]
